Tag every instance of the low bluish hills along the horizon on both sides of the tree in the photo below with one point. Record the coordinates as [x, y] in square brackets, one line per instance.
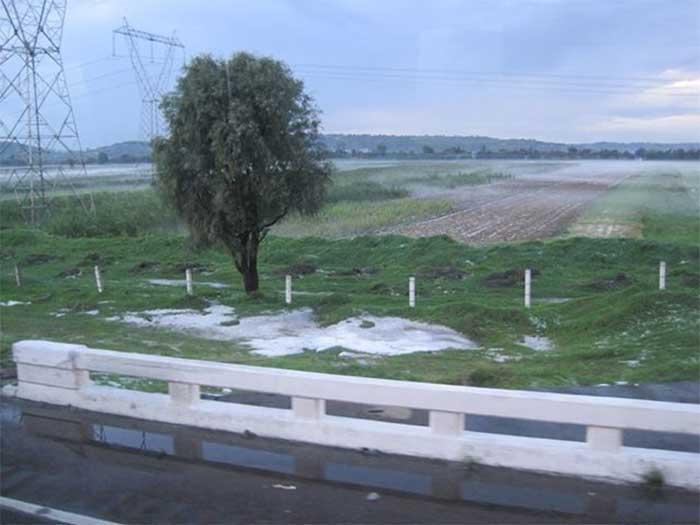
[397, 145]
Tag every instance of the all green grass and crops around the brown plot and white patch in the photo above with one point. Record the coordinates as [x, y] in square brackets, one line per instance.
[596, 300]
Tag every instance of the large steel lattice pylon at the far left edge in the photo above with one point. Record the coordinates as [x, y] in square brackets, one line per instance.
[40, 132]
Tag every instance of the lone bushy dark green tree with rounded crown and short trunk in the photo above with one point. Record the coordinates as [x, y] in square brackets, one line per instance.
[243, 152]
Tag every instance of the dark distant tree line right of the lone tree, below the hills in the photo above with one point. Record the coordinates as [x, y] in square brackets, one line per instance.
[571, 153]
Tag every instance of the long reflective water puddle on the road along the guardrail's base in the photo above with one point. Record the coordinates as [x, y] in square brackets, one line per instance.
[237, 459]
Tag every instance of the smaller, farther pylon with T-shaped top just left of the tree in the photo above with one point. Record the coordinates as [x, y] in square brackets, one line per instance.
[152, 82]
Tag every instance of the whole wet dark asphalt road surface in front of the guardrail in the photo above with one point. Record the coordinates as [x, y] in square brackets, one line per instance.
[133, 471]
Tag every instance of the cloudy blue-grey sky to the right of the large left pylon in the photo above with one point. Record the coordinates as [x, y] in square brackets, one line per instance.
[560, 70]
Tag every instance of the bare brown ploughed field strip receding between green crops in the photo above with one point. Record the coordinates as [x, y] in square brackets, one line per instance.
[528, 207]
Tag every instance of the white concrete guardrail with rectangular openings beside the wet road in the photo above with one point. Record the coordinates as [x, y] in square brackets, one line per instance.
[60, 374]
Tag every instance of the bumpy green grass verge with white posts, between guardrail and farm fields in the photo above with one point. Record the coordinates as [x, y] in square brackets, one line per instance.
[633, 333]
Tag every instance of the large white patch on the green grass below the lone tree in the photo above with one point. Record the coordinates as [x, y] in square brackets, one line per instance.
[292, 332]
